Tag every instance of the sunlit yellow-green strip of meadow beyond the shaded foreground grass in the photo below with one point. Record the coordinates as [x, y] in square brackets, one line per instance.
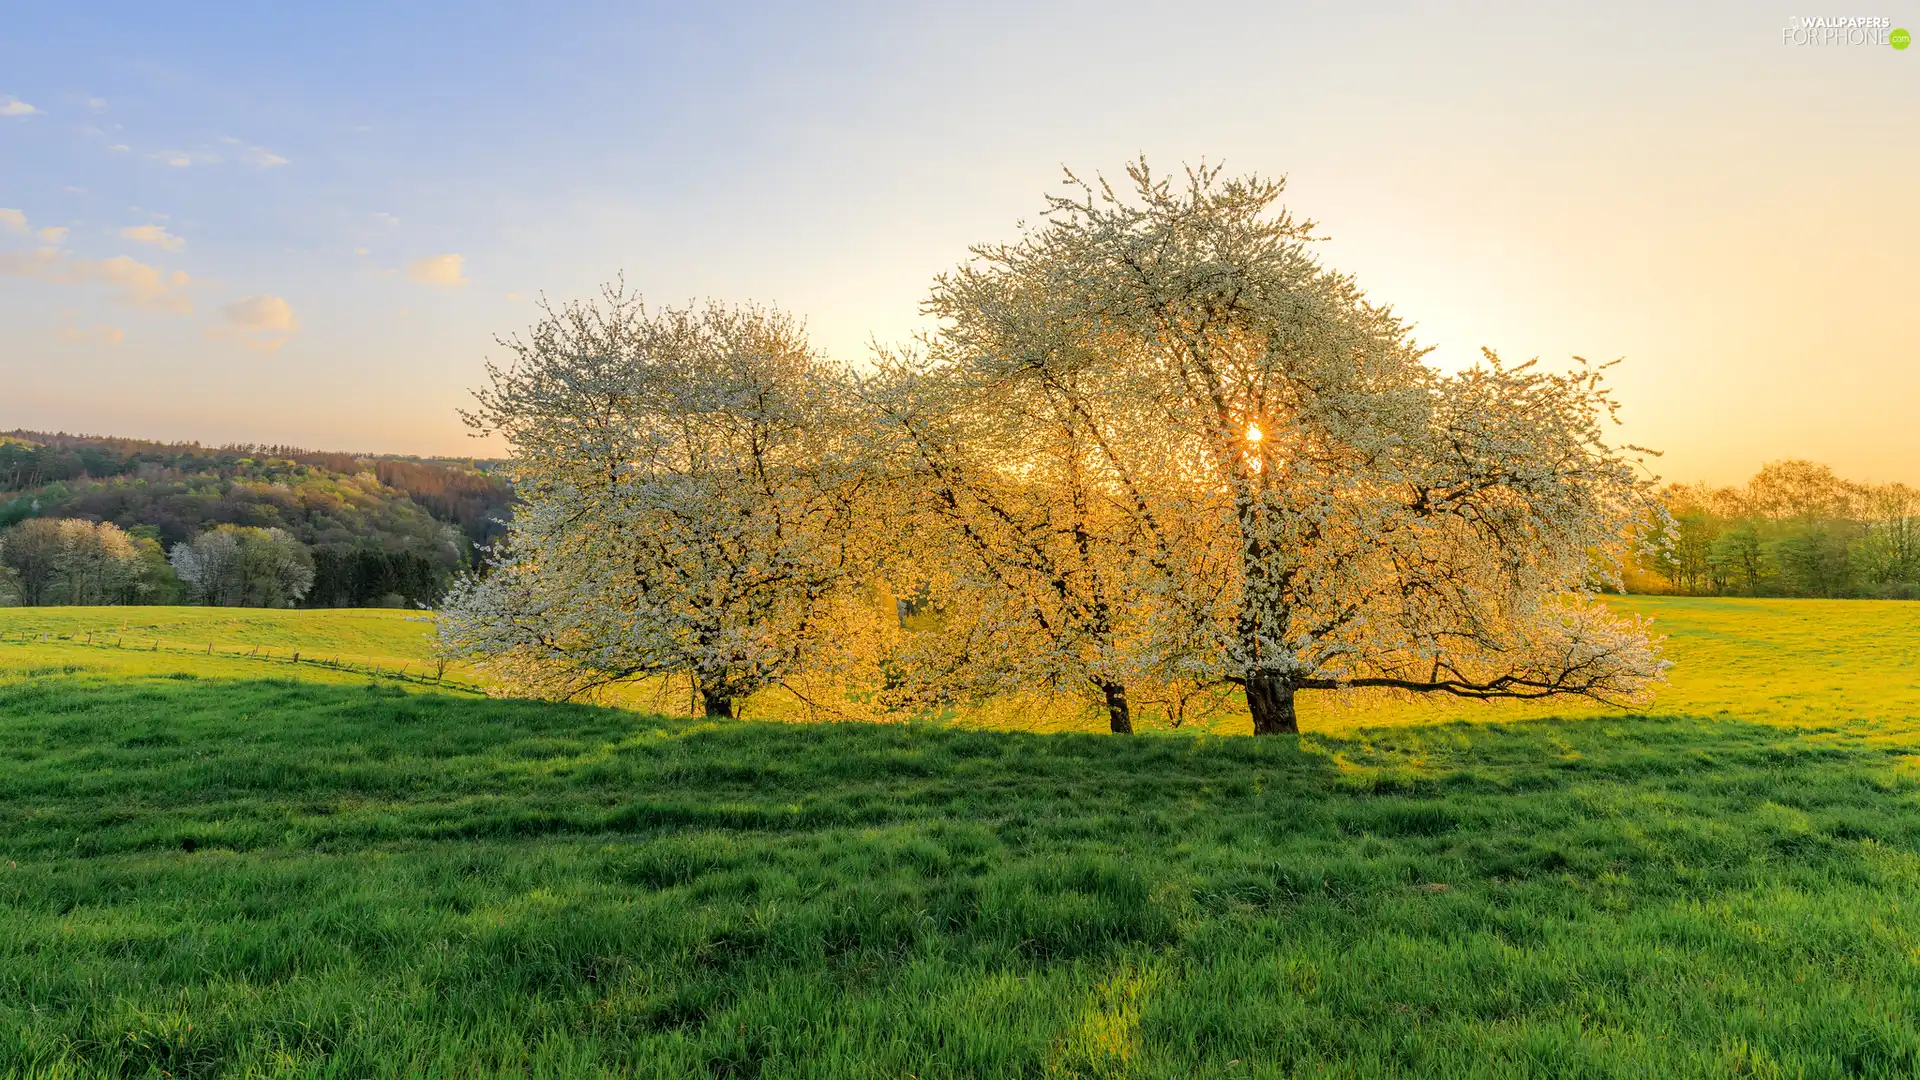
[1783, 662]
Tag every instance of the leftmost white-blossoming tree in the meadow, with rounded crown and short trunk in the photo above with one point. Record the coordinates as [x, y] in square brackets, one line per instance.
[694, 504]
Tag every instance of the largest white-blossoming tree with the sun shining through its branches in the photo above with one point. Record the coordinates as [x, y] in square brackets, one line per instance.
[1389, 526]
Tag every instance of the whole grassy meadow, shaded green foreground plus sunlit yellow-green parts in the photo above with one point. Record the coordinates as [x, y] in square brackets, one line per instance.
[237, 866]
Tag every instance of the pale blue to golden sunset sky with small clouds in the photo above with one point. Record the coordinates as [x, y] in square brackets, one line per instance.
[304, 224]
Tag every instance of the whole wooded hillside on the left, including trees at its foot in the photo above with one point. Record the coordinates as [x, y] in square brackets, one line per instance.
[370, 531]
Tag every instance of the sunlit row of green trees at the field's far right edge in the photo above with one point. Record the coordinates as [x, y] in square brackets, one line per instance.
[1794, 529]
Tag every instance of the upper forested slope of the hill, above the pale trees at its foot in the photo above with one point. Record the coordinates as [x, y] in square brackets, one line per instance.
[427, 516]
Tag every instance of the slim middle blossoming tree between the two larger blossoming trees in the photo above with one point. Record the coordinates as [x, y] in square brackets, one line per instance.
[1009, 524]
